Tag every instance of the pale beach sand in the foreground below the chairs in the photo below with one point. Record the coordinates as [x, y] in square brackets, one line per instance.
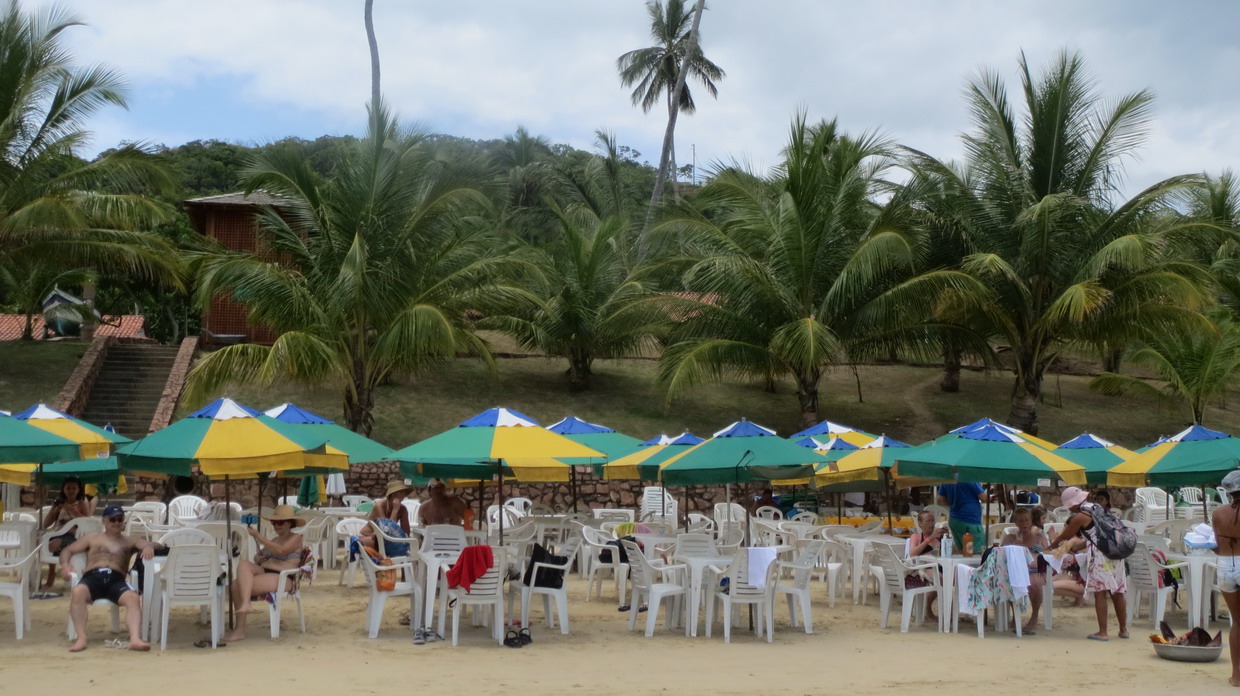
[848, 654]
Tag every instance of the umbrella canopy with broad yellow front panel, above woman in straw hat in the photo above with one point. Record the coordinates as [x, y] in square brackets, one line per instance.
[224, 439]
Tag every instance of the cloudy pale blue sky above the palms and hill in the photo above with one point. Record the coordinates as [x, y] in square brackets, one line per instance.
[252, 71]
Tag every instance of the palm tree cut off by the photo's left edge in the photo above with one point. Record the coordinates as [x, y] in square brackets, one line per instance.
[56, 209]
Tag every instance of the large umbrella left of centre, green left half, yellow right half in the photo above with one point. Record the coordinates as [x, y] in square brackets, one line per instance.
[494, 445]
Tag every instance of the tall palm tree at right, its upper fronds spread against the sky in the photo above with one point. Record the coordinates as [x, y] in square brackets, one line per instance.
[1066, 259]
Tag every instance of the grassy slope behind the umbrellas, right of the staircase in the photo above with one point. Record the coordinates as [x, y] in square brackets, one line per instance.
[901, 401]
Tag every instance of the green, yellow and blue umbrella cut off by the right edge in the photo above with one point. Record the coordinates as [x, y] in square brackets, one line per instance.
[1196, 456]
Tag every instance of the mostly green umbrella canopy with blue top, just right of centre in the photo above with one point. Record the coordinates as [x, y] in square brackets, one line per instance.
[740, 453]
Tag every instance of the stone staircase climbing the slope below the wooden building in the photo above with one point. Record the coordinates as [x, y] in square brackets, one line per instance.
[128, 389]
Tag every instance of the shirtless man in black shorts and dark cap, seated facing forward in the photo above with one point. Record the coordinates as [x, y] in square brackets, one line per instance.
[107, 566]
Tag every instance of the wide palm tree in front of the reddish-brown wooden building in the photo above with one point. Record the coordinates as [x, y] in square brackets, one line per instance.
[380, 271]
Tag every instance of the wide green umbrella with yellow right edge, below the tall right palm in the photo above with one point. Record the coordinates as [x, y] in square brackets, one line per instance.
[988, 455]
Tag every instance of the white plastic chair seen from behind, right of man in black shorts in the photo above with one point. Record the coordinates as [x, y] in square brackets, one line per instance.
[190, 579]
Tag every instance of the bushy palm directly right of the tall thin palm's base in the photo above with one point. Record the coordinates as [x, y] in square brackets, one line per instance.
[804, 271]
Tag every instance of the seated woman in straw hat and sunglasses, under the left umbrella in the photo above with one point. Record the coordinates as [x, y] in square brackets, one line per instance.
[262, 576]
